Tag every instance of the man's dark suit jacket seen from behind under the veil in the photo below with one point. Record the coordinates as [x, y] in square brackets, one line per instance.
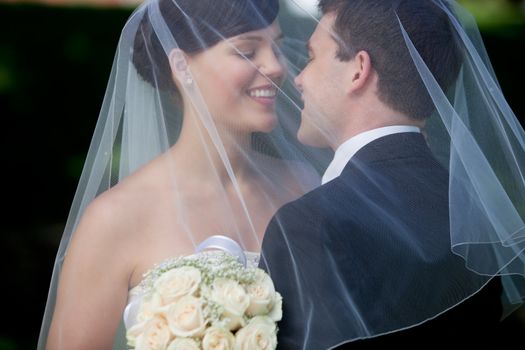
[371, 249]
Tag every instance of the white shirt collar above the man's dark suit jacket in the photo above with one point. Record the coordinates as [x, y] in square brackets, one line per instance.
[349, 148]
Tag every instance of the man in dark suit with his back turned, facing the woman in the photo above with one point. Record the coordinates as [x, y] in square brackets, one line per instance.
[369, 251]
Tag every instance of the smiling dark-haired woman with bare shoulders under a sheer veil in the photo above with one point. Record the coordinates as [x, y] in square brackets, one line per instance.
[188, 145]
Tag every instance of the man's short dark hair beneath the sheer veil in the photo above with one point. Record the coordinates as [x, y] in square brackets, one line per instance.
[373, 26]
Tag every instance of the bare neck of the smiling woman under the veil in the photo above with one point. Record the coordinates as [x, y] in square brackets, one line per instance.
[213, 153]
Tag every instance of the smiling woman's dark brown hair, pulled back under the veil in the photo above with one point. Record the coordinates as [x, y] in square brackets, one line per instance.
[196, 25]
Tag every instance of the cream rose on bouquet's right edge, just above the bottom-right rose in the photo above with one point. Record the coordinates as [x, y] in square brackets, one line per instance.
[262, 294]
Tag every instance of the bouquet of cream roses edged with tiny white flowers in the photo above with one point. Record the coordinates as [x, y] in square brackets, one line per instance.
[206, 301]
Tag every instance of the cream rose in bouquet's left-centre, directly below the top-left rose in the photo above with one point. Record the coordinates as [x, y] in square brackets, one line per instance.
[185, 317]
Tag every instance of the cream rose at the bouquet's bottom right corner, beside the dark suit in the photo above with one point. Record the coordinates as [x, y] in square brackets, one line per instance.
[259, 333]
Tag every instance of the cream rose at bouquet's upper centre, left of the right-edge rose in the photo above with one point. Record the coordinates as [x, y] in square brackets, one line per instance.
[232, 296]
